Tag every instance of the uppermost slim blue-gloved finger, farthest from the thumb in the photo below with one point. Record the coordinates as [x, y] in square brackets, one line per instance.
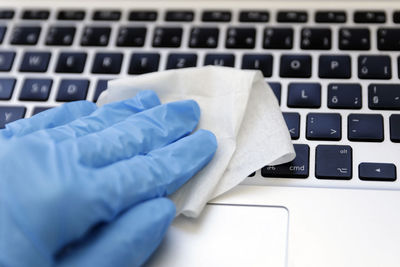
[104, 117]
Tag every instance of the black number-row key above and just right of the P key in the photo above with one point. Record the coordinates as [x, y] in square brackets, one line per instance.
[354, 39]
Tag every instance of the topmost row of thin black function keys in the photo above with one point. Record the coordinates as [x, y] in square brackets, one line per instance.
[288, 16]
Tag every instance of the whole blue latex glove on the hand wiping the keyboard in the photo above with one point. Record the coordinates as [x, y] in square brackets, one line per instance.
[85, 186]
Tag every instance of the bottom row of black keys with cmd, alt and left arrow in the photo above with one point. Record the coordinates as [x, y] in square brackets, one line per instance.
[332, 162]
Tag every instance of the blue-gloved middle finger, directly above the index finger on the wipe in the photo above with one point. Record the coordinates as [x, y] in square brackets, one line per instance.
[140, 133]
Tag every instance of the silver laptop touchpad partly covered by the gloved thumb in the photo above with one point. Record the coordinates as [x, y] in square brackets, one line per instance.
[226, 235]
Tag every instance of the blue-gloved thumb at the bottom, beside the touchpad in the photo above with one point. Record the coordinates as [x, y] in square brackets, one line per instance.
[127, 241]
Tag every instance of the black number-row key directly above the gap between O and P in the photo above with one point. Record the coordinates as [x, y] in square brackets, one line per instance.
[316, 38]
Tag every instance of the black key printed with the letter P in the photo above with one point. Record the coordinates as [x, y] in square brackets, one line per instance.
[332, 66]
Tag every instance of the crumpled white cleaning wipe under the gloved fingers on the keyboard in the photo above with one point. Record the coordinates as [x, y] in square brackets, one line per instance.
[237, 106]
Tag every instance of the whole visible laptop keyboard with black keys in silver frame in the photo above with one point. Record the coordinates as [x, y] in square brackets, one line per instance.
[334, 72]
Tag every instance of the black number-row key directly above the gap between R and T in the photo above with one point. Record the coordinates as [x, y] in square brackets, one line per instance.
[131, 36]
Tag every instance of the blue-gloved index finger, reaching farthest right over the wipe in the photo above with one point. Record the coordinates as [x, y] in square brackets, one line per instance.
[157, 174]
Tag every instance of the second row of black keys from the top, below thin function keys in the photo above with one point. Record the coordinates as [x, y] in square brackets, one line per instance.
[207, 37]
